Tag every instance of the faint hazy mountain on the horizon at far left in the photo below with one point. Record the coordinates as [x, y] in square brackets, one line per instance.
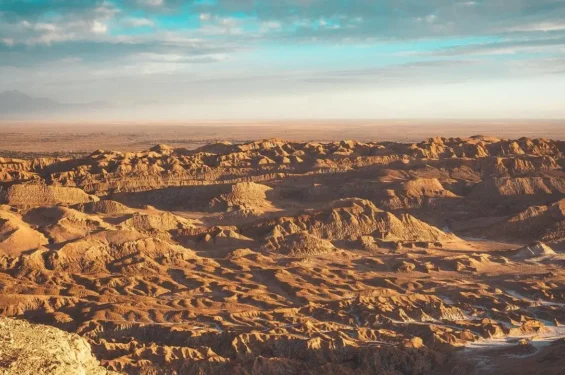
[17, 102]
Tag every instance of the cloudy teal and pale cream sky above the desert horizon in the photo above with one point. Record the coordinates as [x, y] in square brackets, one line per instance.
[294, 59]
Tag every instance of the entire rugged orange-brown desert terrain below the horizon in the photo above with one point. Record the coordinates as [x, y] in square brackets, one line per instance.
[154, 252]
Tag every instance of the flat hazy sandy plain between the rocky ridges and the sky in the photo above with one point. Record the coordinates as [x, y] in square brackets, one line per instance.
[86, 137]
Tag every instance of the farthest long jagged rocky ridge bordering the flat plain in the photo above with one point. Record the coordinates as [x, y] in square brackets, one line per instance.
[105, 172]
